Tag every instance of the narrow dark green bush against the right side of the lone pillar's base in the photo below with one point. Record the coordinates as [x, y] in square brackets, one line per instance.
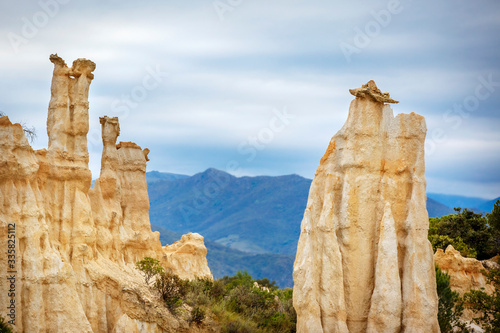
[450, 305]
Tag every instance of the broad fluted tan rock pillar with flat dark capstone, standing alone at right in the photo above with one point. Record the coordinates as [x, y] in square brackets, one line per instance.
[364, 263]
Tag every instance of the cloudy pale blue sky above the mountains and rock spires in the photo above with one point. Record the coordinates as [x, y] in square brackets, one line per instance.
[259, 87]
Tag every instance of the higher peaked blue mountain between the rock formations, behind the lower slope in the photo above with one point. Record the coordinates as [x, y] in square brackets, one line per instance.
[251, 214]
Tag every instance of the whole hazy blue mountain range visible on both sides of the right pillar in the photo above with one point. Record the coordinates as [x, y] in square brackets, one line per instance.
[249, 223]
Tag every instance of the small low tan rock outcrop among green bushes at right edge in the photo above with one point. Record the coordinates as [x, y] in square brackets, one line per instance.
[465, 273]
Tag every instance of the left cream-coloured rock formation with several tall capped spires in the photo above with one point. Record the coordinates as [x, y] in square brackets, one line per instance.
[75, 247]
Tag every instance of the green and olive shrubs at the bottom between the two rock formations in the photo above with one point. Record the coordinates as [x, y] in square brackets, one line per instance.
[239, 303]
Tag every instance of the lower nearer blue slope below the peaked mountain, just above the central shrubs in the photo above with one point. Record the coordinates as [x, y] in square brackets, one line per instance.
[225, 261]
